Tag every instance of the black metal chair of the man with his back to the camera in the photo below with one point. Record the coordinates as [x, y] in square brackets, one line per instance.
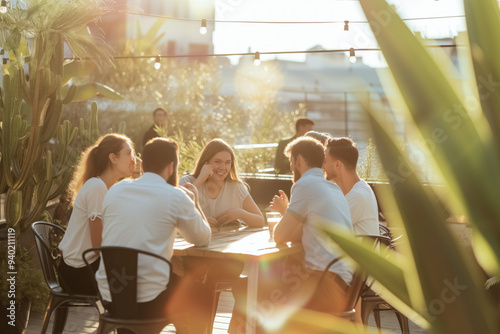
[123, 311]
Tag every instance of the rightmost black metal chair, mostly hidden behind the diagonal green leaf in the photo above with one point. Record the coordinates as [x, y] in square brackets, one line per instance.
[372, 302]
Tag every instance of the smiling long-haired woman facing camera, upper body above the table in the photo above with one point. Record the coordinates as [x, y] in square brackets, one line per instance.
[224, 197]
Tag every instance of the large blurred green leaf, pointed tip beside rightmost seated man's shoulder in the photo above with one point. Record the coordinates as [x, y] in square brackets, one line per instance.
[451, 287]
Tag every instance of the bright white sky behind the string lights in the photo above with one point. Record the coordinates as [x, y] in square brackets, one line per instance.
[238, 37]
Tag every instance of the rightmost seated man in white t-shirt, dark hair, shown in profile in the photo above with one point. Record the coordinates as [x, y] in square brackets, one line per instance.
[341, 158]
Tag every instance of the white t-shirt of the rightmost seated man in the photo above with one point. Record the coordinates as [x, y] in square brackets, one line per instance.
[364, 209]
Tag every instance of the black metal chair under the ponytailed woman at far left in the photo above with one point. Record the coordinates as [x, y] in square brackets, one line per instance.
[47, 237]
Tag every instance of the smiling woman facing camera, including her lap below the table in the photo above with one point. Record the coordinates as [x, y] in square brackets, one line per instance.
[224, 198]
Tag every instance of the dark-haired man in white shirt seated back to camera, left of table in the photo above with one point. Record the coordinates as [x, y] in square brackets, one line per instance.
[146, 214]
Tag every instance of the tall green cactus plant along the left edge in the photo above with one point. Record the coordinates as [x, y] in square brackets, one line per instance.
[36, 150]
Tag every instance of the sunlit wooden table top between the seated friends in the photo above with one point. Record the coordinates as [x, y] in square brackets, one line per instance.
[237, 242]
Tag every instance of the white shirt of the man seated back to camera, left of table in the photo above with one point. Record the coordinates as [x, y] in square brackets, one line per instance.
[146, 214]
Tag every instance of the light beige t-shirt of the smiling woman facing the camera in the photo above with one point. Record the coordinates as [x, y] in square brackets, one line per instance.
[231, 196]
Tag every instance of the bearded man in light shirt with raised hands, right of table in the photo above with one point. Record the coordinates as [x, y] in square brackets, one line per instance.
[314, 200]
